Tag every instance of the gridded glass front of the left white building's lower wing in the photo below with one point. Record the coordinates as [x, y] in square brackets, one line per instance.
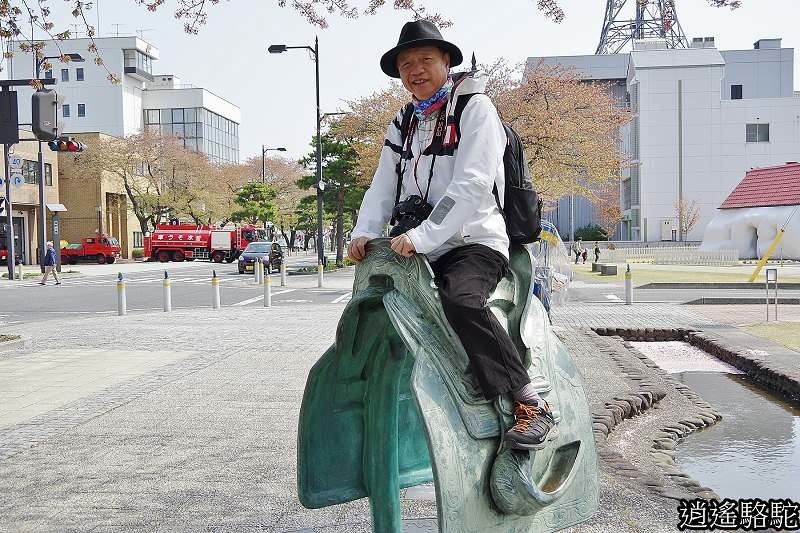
[199, 129]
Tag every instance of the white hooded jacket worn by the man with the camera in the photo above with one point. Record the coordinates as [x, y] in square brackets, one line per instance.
[465, 210]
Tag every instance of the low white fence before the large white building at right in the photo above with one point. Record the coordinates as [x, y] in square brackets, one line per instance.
[676, 255]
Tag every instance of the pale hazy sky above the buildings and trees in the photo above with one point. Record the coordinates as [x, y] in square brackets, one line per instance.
[276, 92]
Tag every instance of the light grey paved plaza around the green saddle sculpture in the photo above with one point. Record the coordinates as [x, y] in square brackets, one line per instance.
[187, 421]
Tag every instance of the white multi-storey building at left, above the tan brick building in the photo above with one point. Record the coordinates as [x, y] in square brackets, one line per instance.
[90, 103]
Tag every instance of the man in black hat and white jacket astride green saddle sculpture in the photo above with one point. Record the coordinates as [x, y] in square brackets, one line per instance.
[445, 174]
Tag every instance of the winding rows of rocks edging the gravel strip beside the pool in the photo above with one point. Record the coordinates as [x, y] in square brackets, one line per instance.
[667, 439]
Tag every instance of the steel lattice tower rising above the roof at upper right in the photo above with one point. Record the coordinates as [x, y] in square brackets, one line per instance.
[654, 19]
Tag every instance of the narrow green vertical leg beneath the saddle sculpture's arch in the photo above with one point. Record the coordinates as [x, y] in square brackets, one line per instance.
[381, 459]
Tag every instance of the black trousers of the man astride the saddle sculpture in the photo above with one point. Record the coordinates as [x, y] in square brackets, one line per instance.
[466, 277]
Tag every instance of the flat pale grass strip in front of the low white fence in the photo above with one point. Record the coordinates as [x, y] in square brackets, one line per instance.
[643, 274]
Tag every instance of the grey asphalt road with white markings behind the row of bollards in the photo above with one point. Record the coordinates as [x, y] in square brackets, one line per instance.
[191, 288]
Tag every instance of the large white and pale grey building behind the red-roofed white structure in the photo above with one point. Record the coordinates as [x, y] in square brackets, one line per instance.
[702, 118]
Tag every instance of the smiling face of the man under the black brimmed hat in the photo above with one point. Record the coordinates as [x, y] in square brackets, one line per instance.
[423, 70]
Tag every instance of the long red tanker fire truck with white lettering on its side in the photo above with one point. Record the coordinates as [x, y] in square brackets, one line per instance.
[179, 242]
